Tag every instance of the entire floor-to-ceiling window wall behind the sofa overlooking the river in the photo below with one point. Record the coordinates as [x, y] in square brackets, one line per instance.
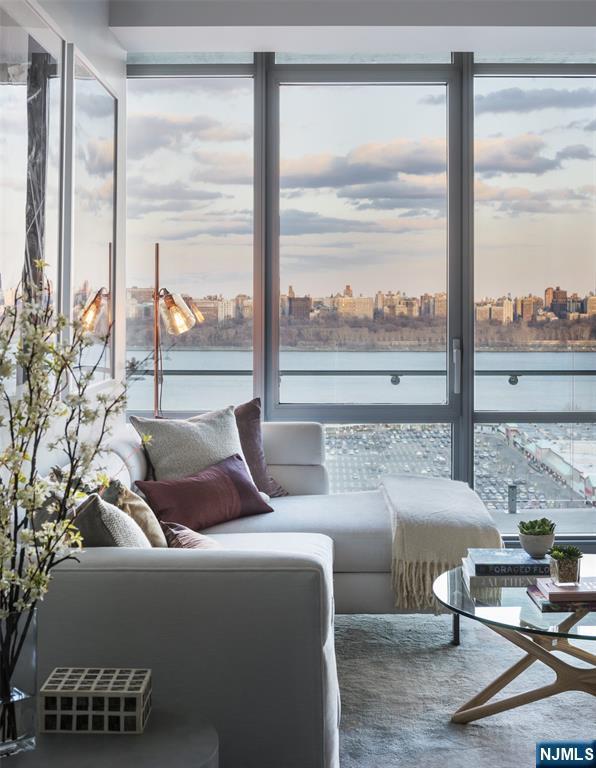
[359, 272]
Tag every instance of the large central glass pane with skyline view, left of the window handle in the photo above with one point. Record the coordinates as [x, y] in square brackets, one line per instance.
[363, 246]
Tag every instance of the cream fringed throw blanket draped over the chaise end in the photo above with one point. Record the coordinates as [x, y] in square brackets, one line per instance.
[435, 522]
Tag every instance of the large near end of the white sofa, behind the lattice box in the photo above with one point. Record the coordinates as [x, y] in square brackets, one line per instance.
[240, 636]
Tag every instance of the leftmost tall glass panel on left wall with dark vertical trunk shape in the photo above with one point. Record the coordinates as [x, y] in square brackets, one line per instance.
[30, 76]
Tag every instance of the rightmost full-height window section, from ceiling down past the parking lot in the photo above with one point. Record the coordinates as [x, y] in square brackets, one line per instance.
[535, 281]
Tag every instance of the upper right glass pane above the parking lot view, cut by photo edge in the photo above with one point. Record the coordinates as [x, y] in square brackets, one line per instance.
[535, 263]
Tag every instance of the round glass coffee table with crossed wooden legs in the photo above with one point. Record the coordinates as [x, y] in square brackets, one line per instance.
[510, 612]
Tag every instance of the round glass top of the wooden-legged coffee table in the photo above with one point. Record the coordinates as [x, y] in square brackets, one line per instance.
[512, 607]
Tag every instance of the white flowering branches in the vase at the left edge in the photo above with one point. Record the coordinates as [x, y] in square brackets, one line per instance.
[51, 409]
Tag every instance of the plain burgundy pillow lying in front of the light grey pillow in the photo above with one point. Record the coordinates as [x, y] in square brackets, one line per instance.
[217, 494]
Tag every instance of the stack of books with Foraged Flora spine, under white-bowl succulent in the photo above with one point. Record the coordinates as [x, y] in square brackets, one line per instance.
[502, 568]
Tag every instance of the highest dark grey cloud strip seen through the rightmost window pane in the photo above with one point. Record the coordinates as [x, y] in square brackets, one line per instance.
[520, 100]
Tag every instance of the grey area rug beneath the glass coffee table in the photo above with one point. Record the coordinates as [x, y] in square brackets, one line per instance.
[401, 679]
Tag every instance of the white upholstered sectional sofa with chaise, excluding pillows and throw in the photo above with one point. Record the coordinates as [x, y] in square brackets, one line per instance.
[242, 635]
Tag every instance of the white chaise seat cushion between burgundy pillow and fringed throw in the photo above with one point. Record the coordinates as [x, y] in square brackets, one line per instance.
[358, 523]
